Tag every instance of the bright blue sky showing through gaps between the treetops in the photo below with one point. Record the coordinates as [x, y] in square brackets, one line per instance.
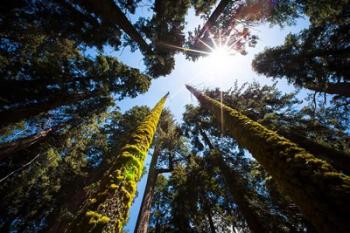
[204, 73]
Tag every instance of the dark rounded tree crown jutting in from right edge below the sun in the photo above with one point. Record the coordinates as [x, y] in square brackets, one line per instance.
[313, 59]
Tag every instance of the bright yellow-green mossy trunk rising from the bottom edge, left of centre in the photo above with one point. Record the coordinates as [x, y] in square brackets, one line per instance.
[107, 209]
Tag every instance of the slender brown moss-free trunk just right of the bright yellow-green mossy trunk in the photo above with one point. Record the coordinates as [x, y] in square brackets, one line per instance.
[145, 210]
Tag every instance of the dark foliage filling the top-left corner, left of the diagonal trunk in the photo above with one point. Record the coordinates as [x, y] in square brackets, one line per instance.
[66, 20]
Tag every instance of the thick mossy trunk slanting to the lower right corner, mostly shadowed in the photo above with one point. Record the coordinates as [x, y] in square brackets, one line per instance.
[321, 192]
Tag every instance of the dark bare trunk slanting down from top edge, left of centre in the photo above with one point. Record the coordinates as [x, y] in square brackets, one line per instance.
[110, 12]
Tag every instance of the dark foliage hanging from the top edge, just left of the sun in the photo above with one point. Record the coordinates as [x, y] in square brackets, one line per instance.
[164, 28]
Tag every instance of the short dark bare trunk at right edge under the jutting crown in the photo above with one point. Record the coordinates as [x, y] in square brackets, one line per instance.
[342, 89]
